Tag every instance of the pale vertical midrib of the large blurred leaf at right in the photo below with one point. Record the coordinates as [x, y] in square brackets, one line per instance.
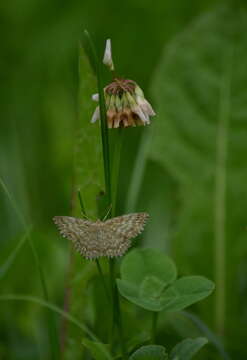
[220, 194]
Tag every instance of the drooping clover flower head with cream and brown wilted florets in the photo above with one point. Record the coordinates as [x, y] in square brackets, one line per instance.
[125, 104]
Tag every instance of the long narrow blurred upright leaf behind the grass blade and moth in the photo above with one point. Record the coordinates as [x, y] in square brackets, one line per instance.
[88, 177]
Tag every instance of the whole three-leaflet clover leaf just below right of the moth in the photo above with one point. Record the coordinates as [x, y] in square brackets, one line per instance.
[148, 279]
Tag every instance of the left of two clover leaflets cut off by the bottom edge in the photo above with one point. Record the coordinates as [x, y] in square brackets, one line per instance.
[150, 352]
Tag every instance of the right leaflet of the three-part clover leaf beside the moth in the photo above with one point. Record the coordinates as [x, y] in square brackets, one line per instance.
[185, 292]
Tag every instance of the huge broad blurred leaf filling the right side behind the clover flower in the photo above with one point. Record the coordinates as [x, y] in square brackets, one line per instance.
[200, 139]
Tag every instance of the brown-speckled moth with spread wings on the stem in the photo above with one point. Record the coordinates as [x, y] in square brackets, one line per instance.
[93, 239]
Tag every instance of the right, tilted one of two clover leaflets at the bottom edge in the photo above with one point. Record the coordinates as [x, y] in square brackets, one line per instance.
[187, 348]
